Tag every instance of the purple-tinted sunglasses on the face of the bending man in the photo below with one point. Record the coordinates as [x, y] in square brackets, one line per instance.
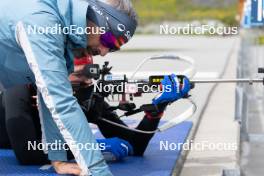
[108, 40]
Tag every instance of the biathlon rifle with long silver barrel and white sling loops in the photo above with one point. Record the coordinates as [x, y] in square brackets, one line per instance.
[125, 87]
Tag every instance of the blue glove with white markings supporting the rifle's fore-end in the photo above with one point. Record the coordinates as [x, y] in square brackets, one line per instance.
[172, 90]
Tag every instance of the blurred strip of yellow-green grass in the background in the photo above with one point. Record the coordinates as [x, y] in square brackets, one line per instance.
[182, 10]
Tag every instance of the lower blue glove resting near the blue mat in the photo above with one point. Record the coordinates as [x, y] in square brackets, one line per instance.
[116, 146]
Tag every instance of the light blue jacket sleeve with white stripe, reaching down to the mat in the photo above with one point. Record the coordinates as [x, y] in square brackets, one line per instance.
[45, 56]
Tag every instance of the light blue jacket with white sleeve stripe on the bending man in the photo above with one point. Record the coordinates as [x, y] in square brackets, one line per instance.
[46, 59]
